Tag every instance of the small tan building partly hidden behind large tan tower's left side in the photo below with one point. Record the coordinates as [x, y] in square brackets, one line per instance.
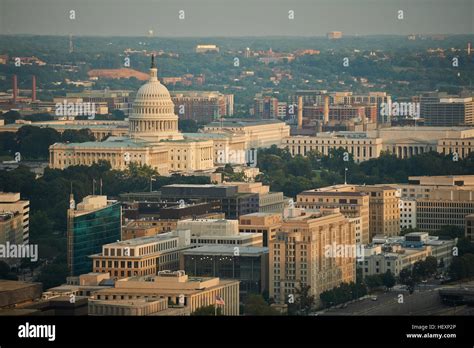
[265, 223]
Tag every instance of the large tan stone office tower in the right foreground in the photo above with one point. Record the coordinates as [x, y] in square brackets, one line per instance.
[303, 253]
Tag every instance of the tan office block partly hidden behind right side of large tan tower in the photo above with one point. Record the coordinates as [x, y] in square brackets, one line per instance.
[354, 205]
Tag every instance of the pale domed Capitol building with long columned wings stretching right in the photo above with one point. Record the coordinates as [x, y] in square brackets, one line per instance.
[154, 139]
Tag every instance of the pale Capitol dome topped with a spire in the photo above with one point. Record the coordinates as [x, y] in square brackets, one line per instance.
[152, 117]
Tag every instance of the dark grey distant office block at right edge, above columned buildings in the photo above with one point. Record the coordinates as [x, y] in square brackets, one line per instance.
[440, 109]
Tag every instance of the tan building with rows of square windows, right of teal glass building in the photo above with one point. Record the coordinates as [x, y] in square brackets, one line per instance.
[142, 256]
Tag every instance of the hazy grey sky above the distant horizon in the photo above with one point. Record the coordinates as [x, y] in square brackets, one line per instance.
[235, 17]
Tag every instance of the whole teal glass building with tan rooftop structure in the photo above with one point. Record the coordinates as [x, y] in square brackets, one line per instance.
[95, 222]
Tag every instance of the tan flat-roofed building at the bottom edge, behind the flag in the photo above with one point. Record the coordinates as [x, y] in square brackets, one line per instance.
[178, 289]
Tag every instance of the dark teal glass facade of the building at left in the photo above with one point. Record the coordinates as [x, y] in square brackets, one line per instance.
[91, 231]
